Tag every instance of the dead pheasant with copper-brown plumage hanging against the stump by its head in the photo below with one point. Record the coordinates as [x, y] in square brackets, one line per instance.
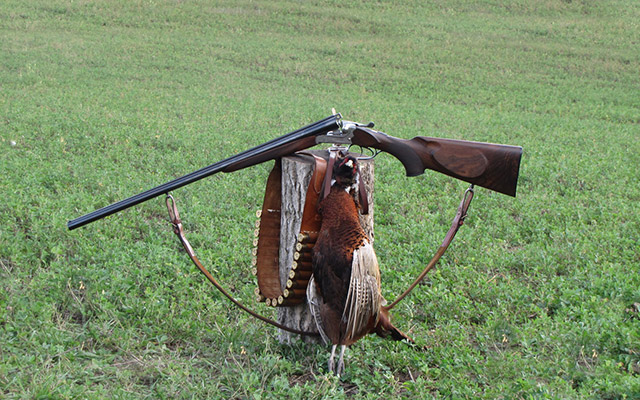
[344, 292]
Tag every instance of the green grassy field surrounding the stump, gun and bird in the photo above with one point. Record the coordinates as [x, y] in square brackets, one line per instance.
[538, 297]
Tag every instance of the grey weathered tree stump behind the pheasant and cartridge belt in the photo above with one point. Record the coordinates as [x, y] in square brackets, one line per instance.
[296, 175]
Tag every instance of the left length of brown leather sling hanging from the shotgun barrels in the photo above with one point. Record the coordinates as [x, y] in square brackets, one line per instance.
[179, 231]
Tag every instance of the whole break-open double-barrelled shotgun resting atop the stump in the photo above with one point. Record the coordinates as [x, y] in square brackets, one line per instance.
[492, 166]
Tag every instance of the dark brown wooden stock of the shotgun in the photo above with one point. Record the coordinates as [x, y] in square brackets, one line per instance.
[493, 166]
